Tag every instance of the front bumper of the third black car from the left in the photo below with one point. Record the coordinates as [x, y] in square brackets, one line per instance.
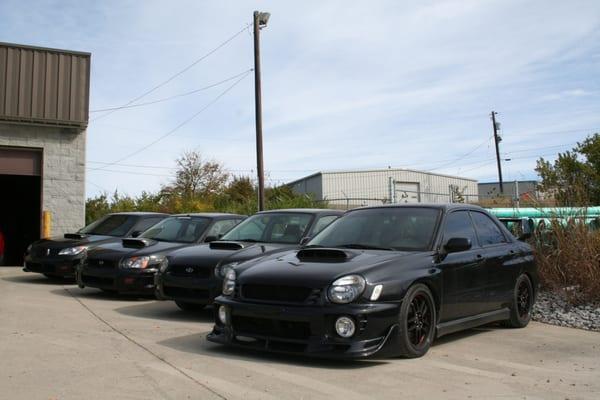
[187, 289]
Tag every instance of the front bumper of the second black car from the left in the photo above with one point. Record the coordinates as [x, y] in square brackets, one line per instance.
[129, 281]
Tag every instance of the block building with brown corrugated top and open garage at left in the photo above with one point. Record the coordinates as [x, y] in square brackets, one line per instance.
[44, 101]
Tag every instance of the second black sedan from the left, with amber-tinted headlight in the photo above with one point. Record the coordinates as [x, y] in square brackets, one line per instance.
[128, 266]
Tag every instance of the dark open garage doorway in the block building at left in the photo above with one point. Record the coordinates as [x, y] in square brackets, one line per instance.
[20, 201]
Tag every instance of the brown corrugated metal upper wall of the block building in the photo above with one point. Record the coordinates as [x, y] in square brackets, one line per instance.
[44, 86]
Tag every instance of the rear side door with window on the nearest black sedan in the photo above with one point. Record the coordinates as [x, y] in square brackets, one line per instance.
[501, 260]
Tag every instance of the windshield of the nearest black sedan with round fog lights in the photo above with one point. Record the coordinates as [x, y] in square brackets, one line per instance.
[394, 228]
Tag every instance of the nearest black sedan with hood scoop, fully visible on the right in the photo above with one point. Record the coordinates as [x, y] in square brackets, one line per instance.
[381, 281]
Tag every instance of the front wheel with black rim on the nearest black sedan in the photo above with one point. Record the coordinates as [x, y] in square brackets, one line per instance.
[417, 322]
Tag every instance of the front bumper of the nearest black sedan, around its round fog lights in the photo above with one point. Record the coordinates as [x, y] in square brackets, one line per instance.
[308, 330]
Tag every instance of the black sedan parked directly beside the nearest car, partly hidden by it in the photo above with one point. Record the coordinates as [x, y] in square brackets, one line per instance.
[192, 277]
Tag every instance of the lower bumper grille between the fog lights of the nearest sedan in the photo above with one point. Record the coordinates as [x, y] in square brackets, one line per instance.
[298, 330]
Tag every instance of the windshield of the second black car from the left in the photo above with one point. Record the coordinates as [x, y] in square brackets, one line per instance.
[178, 229]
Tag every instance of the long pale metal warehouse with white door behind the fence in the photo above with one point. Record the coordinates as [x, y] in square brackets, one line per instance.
[360, 188]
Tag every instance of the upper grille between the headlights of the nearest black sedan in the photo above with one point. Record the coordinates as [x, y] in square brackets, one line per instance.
[287, 294]
